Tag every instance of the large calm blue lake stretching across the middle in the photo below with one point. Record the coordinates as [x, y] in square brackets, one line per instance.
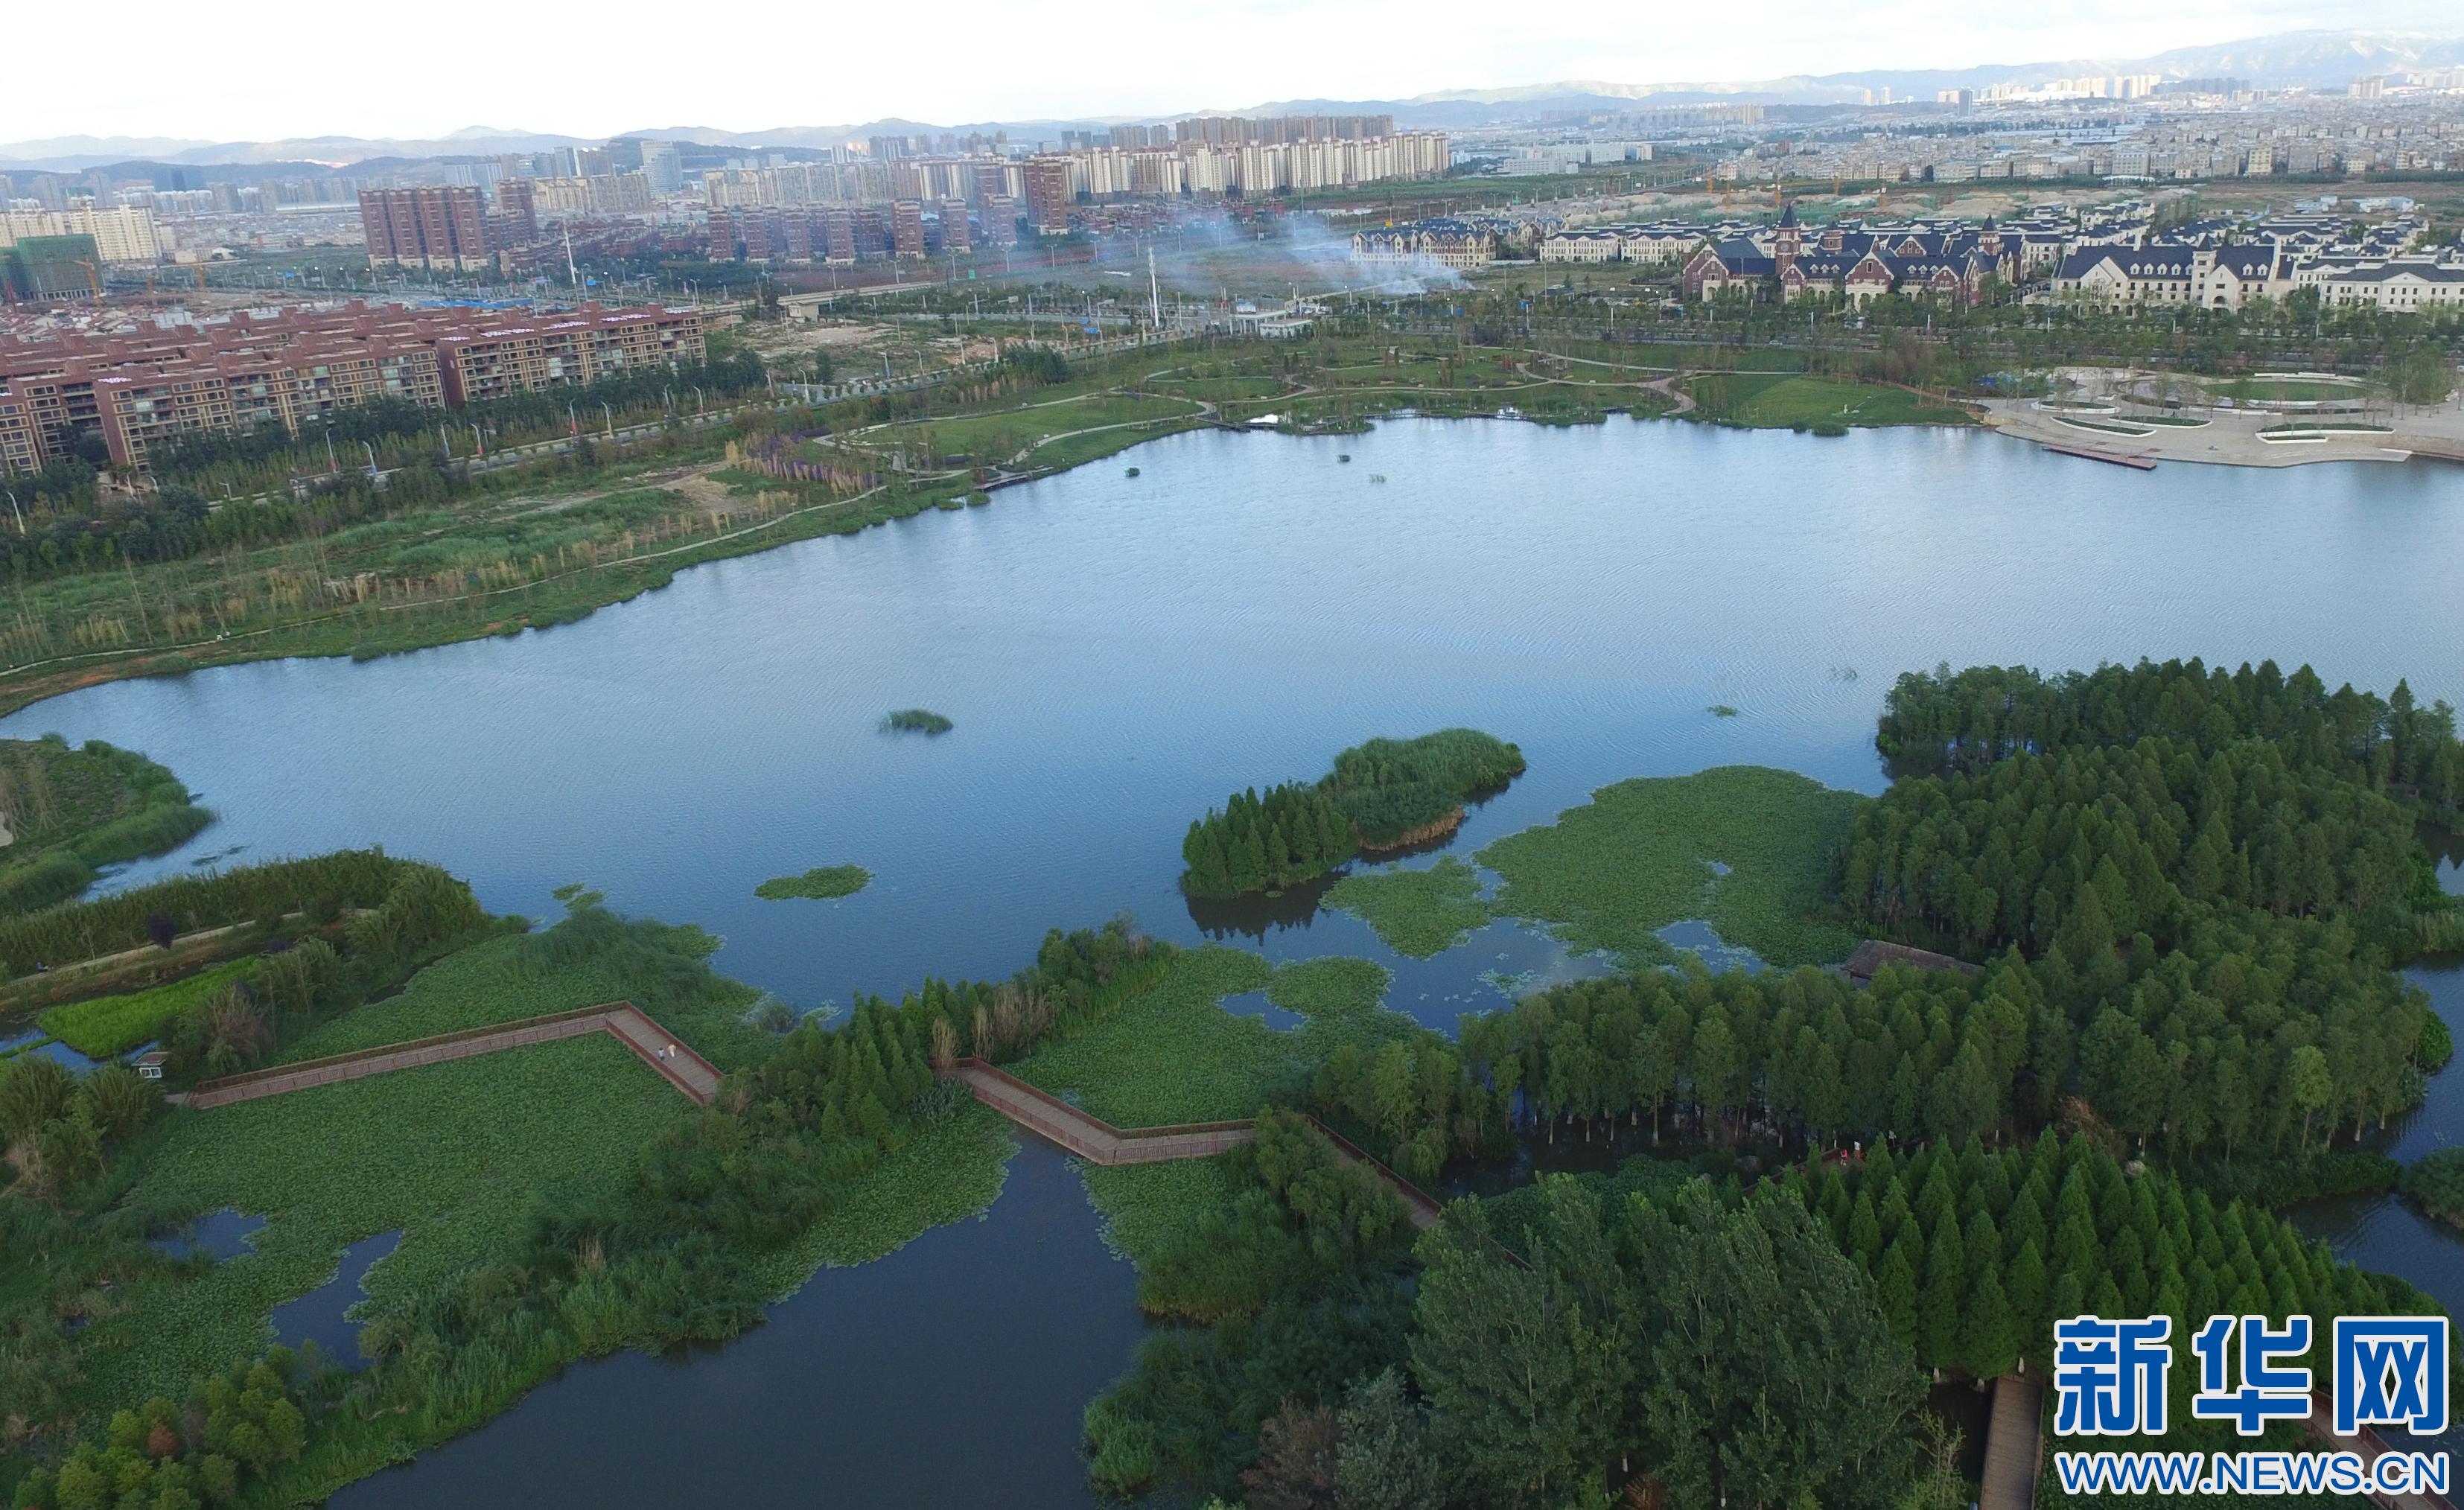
[1117, 654]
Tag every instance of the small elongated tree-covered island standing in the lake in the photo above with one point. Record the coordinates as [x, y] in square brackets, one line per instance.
[1386, 794]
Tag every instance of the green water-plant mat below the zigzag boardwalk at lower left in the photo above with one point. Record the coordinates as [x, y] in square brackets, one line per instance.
[450, 1154]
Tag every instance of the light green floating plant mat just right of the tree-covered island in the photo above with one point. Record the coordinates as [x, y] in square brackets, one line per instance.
[1640, 856]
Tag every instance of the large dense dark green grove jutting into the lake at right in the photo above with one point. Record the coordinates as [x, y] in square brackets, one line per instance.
[2207, 876]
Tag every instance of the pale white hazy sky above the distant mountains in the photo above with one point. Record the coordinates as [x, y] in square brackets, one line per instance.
[179, 68]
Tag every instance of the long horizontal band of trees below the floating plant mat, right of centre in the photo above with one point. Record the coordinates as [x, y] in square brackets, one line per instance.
[1916, 1056]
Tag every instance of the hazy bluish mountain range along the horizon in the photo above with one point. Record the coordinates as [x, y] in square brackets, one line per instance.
[2288, 60]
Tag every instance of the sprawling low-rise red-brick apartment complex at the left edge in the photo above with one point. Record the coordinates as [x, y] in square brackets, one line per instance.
[292, 368]
